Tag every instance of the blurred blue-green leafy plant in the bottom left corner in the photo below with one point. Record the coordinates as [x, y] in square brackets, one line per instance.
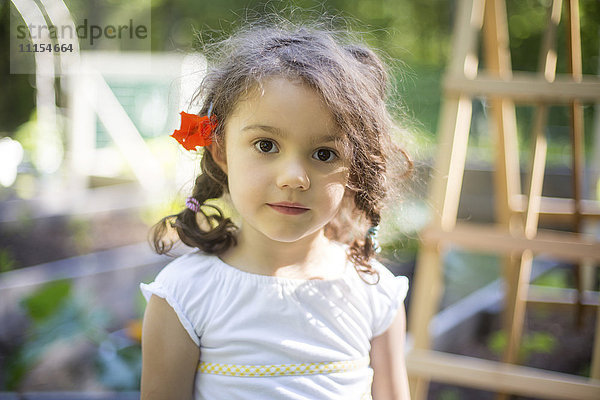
[57, 315]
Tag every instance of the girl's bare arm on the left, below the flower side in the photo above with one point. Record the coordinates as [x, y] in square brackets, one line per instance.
[169, 356]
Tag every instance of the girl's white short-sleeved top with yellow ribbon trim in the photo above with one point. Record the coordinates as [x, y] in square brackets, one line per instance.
[265, 337]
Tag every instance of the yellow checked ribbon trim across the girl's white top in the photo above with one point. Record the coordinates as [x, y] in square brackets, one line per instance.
[283, 369]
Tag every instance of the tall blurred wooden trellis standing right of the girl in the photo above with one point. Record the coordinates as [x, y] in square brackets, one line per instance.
[515, 235]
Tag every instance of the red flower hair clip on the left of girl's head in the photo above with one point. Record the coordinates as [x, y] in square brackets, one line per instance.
[195, 130]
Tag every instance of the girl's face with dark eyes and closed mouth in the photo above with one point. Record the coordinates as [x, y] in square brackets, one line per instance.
[285, 162]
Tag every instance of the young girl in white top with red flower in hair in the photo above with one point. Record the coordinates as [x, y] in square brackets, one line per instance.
[289, 304]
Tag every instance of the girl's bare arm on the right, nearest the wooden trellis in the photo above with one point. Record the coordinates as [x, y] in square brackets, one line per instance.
[390, 381]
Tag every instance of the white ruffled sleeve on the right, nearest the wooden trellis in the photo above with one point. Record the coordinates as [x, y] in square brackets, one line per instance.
[387, 298]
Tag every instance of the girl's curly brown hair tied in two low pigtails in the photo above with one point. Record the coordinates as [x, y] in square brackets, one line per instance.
[353, 82]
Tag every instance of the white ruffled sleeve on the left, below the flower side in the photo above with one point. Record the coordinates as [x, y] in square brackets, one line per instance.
[177, 283]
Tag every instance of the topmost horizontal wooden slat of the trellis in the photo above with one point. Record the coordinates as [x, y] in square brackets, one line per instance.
[526, 87]
